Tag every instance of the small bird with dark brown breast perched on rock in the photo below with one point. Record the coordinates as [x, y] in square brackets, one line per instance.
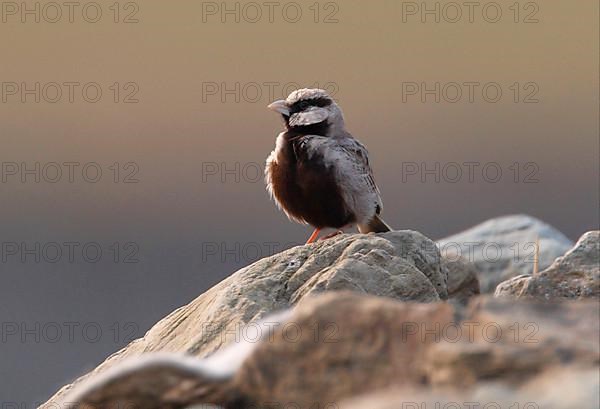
[318, 174]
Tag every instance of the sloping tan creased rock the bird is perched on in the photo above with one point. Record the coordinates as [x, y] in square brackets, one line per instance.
[403, 265]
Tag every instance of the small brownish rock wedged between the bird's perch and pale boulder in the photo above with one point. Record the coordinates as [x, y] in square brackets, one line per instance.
[462, 279]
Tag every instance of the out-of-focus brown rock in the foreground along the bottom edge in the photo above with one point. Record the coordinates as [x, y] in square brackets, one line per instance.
[340, 345]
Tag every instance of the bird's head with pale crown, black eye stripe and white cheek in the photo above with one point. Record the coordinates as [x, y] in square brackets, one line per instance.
[310, 111]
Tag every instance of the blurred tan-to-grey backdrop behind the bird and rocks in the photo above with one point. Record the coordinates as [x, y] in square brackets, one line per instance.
[133, 137]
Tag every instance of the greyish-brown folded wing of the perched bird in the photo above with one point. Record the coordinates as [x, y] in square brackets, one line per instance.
[350, 160]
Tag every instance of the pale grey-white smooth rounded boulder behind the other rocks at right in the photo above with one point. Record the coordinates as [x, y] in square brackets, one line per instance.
[504, 247]
